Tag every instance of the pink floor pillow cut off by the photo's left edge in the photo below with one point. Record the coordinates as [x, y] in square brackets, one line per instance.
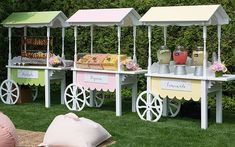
[8, 137]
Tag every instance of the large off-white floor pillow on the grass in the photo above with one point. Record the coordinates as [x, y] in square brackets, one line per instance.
[69, 130]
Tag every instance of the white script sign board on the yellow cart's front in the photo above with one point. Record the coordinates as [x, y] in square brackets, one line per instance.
[179, 85]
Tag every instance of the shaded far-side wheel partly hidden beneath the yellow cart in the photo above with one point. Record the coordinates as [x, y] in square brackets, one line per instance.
[174, 107]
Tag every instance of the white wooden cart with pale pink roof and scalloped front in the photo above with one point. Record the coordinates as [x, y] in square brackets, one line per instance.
[102, 80]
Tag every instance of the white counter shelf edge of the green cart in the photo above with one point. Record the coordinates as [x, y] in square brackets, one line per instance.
[39, 67]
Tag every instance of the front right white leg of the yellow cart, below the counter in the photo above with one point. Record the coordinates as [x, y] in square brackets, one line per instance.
[204, 106]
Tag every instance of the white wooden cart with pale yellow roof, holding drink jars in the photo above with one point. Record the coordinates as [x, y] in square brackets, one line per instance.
[149, 104]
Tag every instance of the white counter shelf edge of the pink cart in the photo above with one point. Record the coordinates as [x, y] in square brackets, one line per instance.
[110, 71]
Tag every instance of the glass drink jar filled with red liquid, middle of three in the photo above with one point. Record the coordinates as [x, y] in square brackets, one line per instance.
[180, 55]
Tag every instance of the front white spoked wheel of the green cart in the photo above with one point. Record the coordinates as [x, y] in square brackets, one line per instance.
[9, 92]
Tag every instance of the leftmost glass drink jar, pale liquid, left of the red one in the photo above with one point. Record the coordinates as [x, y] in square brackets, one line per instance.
[164, 55]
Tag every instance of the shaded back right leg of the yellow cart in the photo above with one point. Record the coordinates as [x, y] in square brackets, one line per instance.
[219, 108]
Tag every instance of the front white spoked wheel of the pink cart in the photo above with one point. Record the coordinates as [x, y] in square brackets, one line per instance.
[74, 97]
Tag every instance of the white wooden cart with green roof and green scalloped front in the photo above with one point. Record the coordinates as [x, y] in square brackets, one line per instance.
[33, 75]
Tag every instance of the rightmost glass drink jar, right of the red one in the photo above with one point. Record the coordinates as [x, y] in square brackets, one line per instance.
[198, 56]
